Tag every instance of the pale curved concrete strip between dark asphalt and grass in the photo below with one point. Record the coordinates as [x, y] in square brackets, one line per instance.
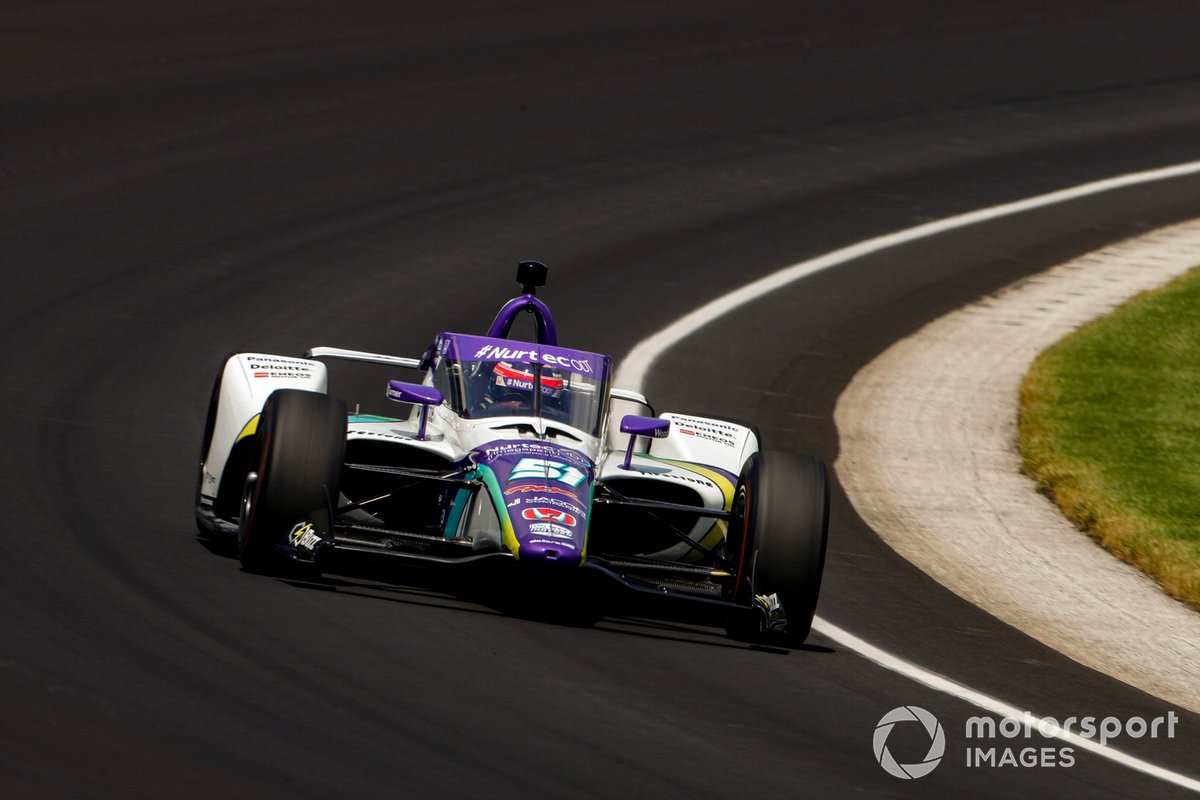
[928, 456]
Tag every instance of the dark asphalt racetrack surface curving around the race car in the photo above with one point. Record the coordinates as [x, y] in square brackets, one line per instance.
[177, 184]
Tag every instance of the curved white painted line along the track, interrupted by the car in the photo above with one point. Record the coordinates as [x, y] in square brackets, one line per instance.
[635, 366]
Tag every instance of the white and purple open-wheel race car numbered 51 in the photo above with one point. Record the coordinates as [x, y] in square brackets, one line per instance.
[517, 456]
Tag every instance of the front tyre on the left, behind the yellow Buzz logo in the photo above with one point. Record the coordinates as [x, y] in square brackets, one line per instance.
[301, 449]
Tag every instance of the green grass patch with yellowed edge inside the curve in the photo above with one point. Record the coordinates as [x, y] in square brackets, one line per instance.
[1111, 428]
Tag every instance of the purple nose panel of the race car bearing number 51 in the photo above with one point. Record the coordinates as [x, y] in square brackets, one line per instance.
[547, 491]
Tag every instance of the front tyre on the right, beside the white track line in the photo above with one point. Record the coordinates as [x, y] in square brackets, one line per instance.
[783, 510]
